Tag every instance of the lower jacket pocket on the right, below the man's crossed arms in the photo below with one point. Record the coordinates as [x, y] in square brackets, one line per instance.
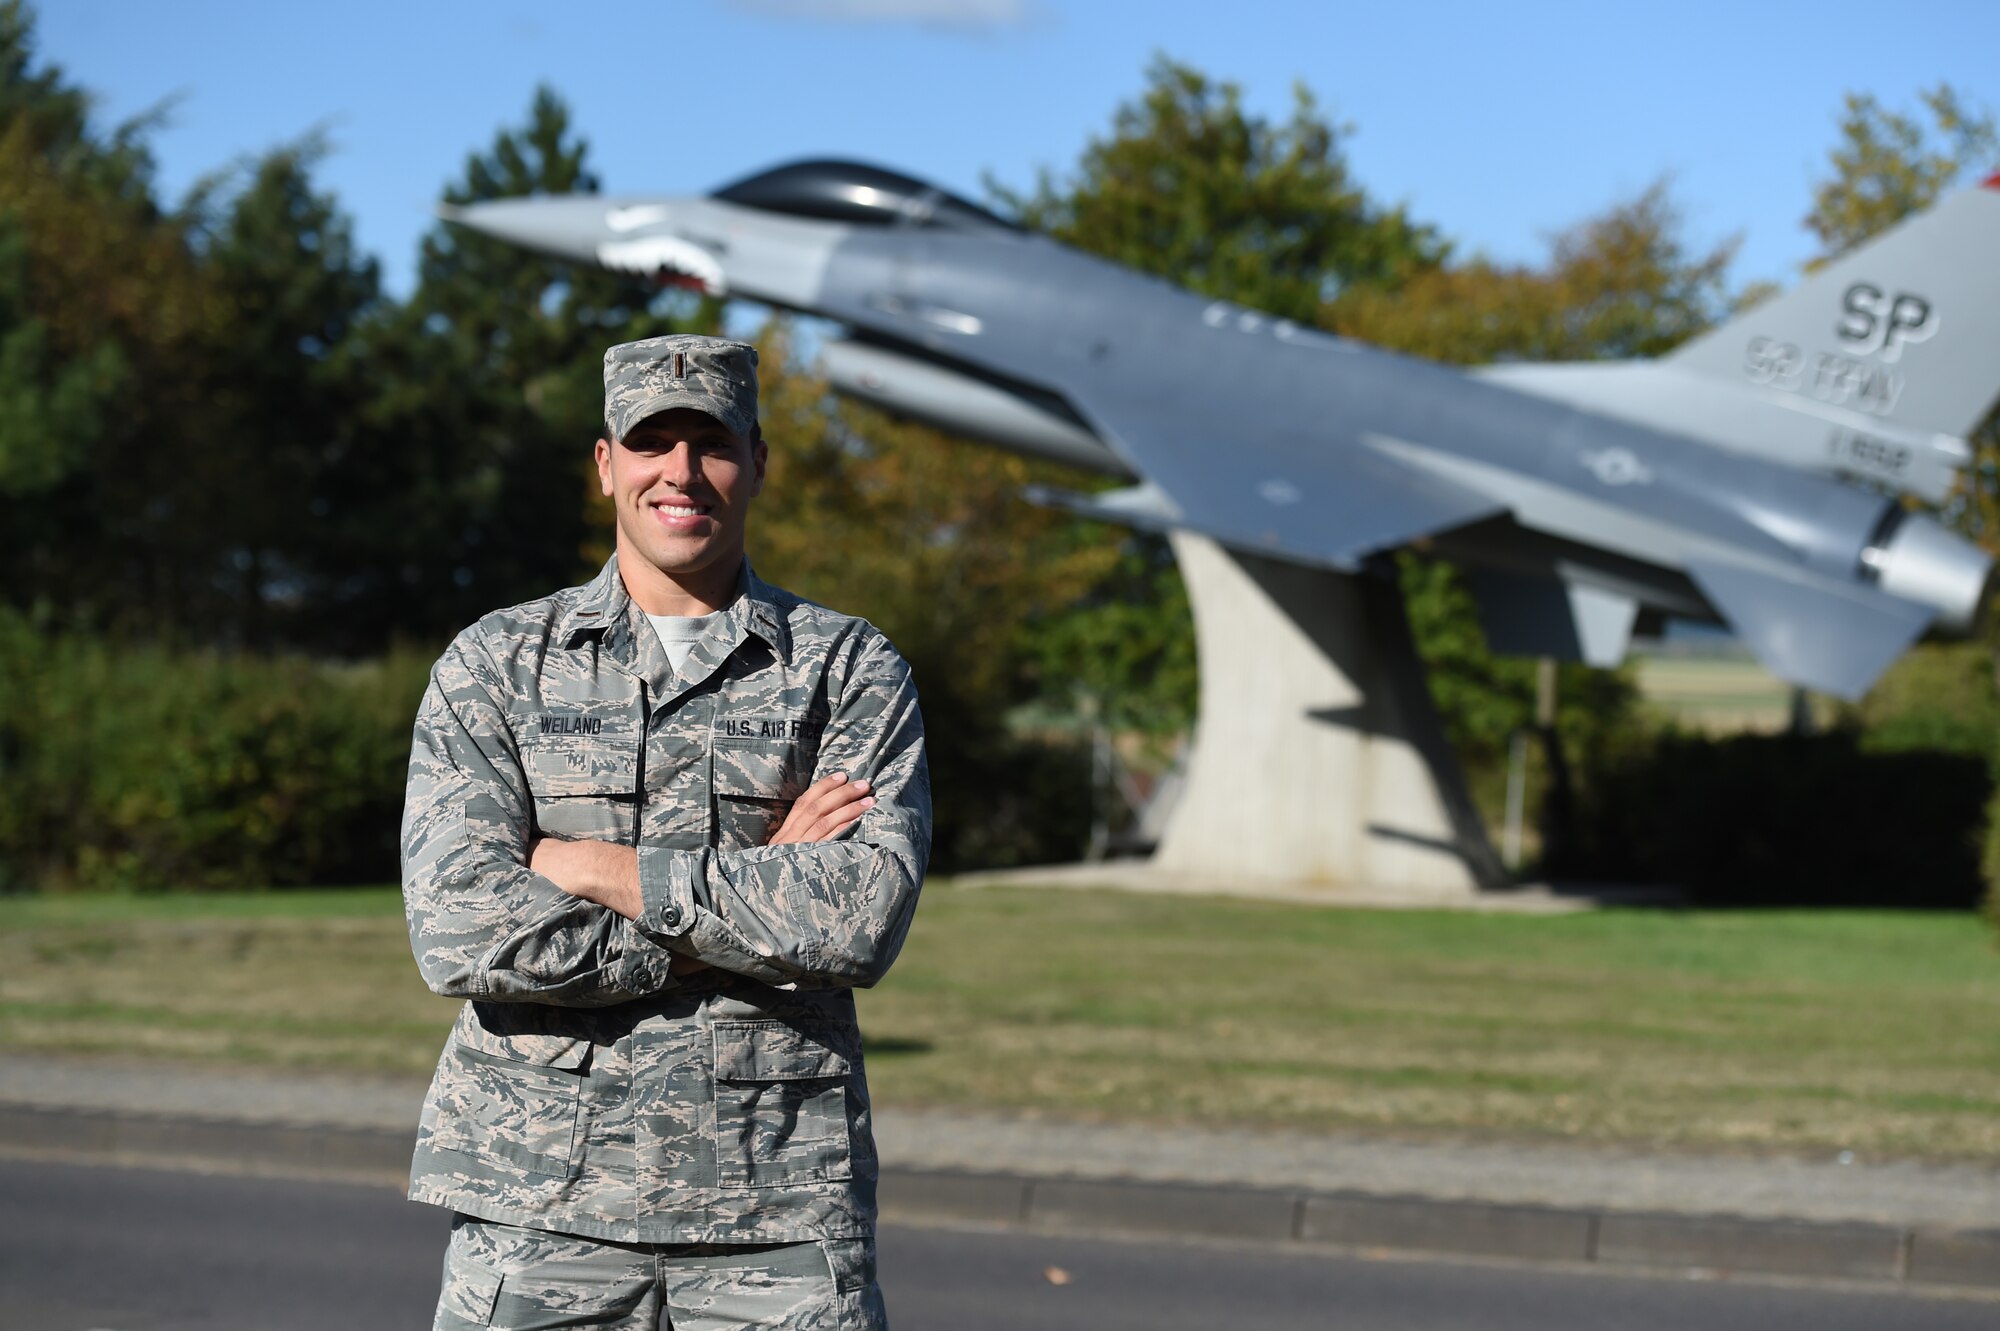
[781, 1106]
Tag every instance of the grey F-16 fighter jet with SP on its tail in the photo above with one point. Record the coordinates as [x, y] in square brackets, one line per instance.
[1583, 499]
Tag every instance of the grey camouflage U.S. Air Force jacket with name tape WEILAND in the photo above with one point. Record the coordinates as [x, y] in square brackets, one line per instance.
[585, 1088]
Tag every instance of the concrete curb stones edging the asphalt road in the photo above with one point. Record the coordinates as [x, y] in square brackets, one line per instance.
[1919, 1258]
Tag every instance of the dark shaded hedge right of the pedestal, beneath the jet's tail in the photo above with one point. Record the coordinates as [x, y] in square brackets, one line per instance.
[1895, 806]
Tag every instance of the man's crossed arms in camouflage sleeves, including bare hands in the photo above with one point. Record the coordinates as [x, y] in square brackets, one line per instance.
[499, 916]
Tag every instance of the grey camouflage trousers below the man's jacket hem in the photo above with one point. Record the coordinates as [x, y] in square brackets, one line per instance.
[527, 1280]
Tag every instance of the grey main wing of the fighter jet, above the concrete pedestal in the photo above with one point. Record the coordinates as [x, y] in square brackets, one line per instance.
[1281, 495]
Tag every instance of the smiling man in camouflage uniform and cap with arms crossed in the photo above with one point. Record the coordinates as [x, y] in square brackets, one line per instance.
[657, 882]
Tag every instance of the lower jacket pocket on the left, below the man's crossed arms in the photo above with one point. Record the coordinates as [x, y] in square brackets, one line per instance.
[517, 1112]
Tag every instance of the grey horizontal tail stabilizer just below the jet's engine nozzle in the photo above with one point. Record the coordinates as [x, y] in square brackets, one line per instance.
[1813, 633]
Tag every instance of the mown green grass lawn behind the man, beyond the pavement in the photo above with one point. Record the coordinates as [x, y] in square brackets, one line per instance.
[1813, 1030]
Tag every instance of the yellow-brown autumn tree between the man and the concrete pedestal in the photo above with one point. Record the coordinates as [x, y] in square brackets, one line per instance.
[927, 537]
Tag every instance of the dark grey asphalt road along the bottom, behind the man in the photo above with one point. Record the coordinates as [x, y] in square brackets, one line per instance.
[91, 1248]
